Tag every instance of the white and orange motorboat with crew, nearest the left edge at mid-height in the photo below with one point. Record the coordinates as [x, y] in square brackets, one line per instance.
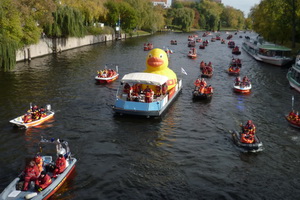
[33, 117]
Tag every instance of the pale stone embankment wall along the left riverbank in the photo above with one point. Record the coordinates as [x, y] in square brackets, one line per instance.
[48, 46]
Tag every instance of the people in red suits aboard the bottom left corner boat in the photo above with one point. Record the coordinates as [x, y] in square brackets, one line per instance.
[34, 171]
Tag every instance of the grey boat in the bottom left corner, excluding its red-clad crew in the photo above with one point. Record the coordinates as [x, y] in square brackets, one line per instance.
[14, 190]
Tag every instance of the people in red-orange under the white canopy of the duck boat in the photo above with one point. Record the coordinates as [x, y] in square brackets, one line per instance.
[135, 92]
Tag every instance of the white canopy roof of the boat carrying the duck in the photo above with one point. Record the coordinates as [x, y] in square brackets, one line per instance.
[144, 78]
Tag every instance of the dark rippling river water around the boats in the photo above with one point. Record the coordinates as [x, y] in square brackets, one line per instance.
[186, 154]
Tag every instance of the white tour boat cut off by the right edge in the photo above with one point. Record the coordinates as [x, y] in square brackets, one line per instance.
[293, 75]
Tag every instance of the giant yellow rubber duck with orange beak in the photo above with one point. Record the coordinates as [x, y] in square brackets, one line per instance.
[157, 63]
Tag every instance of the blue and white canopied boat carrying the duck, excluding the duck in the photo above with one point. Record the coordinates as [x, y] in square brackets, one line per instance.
[135, 101]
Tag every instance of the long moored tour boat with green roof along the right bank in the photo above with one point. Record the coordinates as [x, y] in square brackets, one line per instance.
[267, 52]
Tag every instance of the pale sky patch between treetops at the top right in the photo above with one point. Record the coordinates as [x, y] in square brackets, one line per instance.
[243, 5]
